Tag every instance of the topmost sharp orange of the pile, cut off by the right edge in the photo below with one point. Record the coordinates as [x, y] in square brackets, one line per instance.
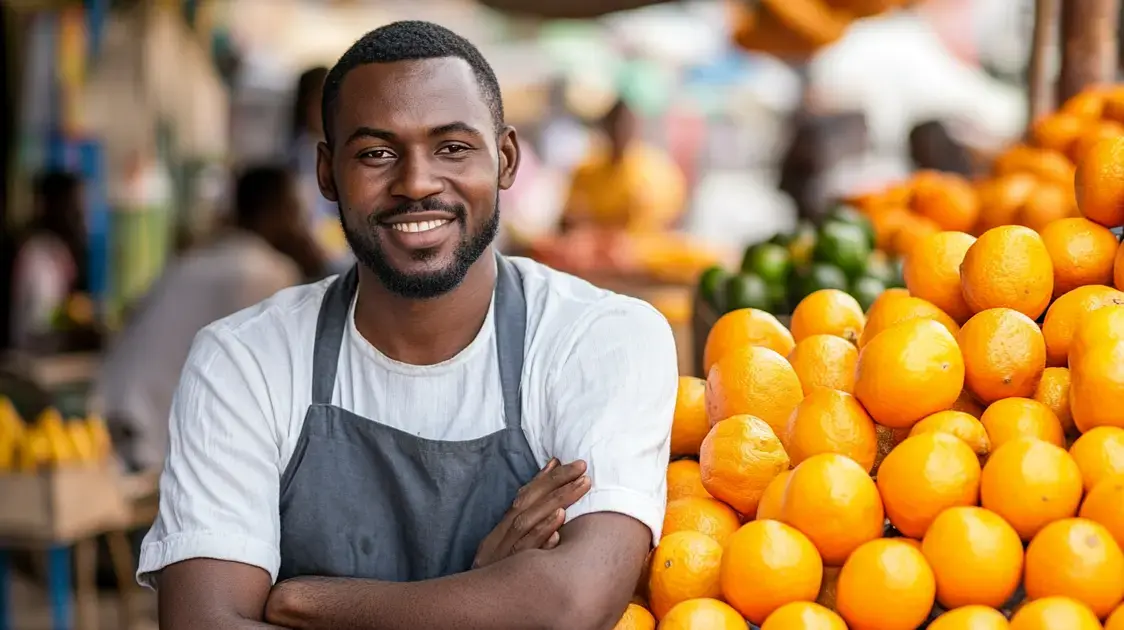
[1100, 183]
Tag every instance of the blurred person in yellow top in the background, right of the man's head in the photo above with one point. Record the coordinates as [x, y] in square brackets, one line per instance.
[626, 184]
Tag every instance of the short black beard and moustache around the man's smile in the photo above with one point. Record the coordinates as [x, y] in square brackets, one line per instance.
[431, 284]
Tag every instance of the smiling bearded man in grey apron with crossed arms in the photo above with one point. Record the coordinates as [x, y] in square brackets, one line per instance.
[361, 443]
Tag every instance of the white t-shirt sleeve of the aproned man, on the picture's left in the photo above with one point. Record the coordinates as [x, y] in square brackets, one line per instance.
[220, 489]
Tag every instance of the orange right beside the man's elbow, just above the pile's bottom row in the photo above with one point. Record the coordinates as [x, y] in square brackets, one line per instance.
[685, 566]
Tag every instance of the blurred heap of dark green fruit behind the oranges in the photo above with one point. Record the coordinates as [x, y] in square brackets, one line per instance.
[778, 274]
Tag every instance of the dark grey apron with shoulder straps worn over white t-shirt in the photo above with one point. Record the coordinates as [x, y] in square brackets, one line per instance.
[365, 500]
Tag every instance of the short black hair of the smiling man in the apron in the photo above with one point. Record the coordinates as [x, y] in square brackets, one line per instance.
[409, 41]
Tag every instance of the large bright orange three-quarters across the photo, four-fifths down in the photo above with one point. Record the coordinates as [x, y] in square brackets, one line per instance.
[836, 503]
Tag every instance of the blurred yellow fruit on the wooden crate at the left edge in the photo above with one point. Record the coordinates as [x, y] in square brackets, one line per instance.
[51, 442]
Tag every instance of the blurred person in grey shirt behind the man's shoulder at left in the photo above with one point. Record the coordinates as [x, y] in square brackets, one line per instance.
[266, 250]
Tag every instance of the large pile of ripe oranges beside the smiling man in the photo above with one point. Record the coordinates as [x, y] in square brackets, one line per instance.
[953, 458]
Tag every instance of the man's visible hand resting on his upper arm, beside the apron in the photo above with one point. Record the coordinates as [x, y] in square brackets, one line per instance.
[537, 515]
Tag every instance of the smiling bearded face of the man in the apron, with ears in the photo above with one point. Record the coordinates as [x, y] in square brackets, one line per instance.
[416, 170]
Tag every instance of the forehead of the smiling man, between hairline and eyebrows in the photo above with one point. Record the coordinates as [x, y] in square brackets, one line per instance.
[405, 95]
